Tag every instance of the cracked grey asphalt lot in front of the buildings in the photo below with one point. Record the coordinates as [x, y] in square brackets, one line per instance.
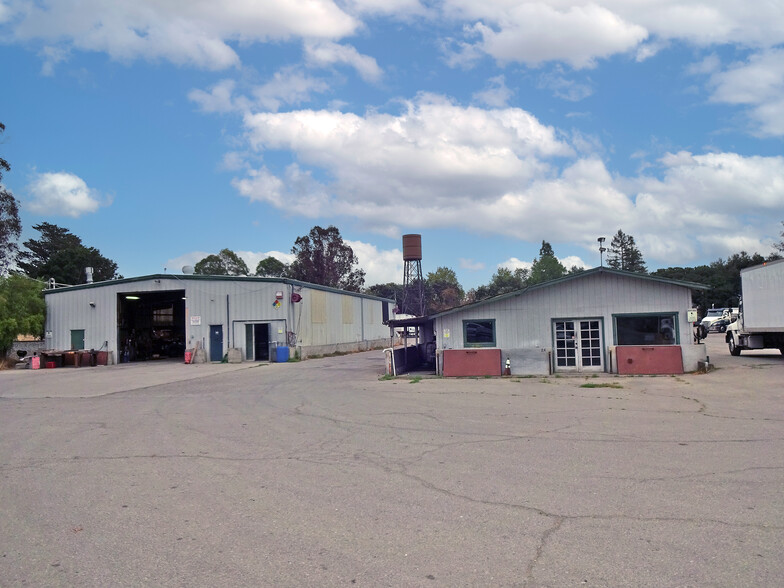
[320, 473]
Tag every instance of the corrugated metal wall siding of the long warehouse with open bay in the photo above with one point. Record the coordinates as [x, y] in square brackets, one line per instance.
[249, 301]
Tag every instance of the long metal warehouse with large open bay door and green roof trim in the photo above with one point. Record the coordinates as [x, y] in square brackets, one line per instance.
[163, 315]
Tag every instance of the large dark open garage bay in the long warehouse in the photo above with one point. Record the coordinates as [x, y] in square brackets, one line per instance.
[151, 325]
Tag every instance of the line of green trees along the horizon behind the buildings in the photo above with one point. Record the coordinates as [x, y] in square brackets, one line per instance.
[320, 257]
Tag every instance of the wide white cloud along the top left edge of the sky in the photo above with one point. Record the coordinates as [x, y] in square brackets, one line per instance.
[197, 33]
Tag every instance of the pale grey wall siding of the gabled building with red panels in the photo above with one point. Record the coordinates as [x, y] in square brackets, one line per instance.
[525, 321]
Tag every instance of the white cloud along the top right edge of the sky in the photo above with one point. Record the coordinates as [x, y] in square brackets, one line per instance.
[580, 32]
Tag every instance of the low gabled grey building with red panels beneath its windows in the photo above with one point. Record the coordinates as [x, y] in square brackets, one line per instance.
[599, 320]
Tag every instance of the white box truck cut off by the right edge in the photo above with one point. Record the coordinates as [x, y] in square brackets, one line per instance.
[760, 323]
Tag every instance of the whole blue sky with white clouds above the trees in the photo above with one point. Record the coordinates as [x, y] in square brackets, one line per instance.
[160, 131]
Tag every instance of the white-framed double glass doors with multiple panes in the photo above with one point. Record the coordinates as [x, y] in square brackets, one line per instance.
[578, 346]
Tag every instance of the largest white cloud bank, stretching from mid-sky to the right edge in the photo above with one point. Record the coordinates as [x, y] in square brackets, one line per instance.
[437, 164]
